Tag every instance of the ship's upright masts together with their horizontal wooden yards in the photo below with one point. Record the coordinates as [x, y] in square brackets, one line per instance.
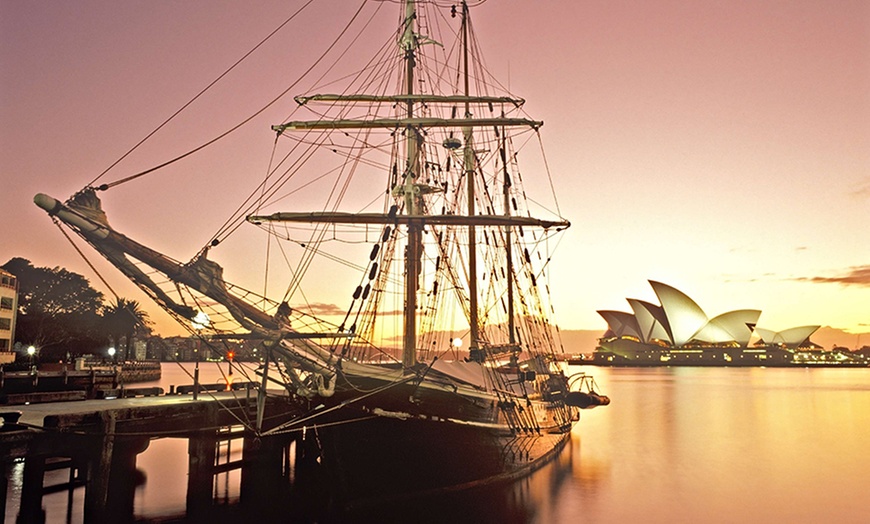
[414, 216]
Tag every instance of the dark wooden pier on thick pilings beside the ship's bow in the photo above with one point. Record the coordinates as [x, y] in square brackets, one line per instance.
[99, 440]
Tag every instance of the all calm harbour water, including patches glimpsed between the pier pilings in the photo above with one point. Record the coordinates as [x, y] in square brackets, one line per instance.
[675, 445]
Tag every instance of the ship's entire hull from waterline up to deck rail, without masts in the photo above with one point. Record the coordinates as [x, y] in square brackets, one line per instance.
[409, 442]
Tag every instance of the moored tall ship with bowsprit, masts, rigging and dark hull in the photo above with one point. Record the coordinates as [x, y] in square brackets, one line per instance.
[440, 369]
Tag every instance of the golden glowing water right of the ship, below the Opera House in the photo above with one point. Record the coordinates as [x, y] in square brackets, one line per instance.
[725, 445]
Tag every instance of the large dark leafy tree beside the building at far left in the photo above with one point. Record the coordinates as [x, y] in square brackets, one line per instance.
[58, 310]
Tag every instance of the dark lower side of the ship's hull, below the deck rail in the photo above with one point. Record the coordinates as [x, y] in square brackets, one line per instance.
[384, 460]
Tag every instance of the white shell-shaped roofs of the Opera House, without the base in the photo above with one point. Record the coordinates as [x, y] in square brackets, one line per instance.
[679, 321]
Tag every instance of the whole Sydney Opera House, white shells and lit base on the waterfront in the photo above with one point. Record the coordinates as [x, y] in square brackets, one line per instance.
[678, 332]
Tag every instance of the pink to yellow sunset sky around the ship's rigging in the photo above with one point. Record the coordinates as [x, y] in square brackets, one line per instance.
[720, 147]
